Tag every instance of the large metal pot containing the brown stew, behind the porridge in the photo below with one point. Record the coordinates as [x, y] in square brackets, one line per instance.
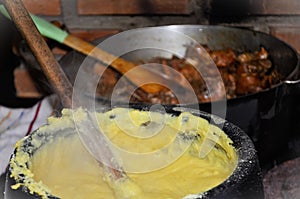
[265, 116]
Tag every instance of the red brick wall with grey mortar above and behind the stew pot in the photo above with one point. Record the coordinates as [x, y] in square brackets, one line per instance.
[91, 19]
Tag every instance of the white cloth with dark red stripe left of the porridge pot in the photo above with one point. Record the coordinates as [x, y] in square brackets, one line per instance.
[15, 123]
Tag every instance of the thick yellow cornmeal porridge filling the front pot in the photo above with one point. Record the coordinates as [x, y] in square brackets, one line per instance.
[63, 167]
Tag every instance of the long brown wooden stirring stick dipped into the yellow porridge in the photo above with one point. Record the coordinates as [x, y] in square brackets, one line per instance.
[56, 77]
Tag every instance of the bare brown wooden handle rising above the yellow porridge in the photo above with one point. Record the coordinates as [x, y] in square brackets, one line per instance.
[40, 49]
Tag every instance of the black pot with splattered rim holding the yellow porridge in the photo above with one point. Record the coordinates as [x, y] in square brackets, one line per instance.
[245, 181]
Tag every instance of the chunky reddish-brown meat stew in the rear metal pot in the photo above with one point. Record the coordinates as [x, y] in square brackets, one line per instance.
[242, 73]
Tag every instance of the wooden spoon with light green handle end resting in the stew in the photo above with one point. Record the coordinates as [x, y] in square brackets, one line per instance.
[139, 77]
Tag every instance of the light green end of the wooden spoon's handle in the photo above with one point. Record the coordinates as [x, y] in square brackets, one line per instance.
[45, 28]
